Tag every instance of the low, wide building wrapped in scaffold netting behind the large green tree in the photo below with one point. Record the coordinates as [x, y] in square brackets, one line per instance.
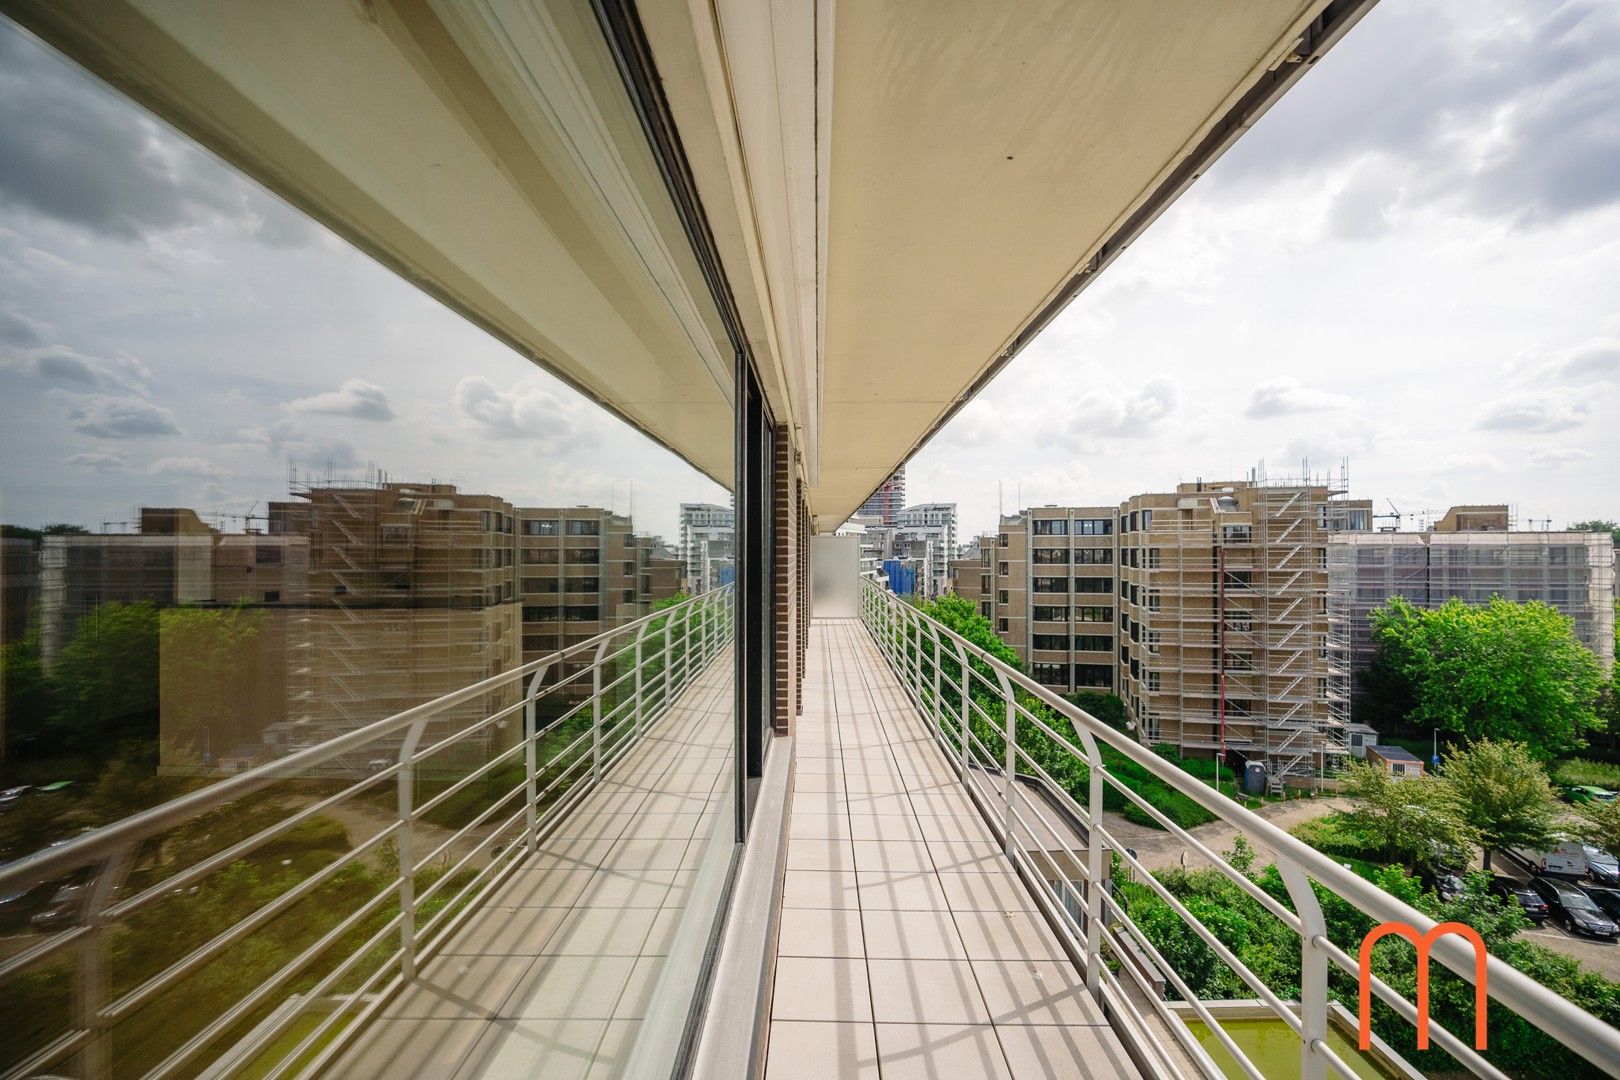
[1470, 555]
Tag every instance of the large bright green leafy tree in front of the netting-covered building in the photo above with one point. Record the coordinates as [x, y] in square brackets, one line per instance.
[1493, 671]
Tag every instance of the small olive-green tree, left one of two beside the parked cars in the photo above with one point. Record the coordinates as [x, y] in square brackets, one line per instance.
[1415, 822]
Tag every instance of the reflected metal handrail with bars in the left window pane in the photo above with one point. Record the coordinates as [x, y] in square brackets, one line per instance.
[681, 642]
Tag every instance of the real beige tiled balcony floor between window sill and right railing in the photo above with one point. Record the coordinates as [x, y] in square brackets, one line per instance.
[908, 945]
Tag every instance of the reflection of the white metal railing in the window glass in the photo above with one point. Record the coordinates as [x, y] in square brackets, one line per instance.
[124, 946]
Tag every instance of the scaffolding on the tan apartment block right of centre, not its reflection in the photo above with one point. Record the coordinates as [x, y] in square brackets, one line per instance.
[1232, 626]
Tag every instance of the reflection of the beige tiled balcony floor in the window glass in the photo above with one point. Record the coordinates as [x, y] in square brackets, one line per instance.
[573, 966]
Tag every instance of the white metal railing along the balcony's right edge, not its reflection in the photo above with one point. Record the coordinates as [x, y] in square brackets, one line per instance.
[957, 684]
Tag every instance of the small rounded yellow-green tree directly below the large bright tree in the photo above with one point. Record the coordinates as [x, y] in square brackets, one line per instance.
[1504, 794]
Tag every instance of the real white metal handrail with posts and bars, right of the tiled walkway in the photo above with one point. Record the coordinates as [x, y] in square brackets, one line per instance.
[918, 647]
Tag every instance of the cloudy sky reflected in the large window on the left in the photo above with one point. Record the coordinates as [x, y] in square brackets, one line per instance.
[173, 336]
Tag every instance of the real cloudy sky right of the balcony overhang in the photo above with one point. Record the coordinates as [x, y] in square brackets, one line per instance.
[1412, 263]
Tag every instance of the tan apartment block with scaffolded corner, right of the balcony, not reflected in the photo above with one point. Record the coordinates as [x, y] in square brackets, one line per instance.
[1203, 608]
